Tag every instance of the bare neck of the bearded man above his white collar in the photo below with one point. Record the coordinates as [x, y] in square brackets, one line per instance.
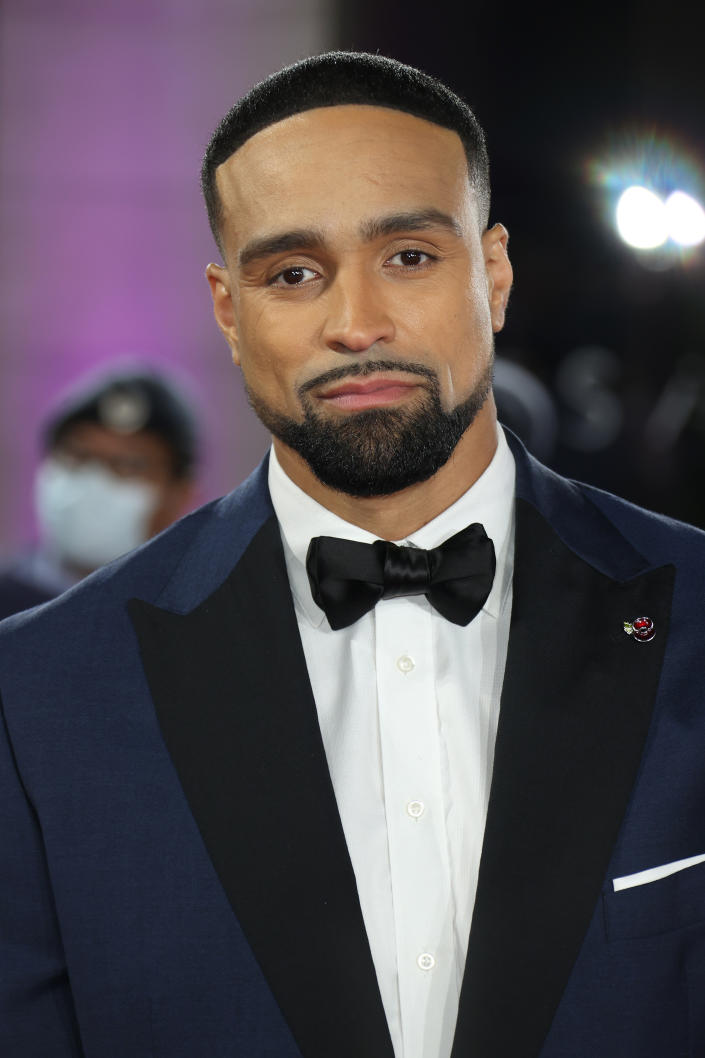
[399, 516]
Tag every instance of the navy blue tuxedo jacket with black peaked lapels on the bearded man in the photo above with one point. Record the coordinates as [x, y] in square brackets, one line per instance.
[175, 881]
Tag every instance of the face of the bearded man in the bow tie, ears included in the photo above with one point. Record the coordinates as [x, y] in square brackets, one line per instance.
[358, 291]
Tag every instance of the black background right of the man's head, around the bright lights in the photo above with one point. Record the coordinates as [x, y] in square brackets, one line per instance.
[617, 337]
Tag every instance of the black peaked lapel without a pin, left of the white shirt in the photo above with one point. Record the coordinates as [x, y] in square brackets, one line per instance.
[234, 703]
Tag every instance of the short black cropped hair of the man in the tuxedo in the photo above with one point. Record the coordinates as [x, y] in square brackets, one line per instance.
[339, 79]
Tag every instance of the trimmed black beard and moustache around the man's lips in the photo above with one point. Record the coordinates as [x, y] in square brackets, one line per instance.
[378, 451]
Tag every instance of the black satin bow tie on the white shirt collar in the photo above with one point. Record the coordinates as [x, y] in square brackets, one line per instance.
[349, 578]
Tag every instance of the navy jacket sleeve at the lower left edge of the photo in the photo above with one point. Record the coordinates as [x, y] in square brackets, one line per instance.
[38, 1017]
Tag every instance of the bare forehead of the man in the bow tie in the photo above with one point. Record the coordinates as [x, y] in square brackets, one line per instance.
[331, 165]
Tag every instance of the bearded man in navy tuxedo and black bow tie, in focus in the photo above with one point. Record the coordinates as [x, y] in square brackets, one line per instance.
[267, 817]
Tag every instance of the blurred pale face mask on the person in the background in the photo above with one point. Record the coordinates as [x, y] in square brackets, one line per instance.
[89, 517]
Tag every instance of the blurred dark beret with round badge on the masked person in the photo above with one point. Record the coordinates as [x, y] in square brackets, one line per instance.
[130, 402]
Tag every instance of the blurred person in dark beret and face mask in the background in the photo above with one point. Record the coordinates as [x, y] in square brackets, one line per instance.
[118, 469]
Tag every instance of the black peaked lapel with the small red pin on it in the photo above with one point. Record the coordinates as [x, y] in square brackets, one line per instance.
[576, 706]
